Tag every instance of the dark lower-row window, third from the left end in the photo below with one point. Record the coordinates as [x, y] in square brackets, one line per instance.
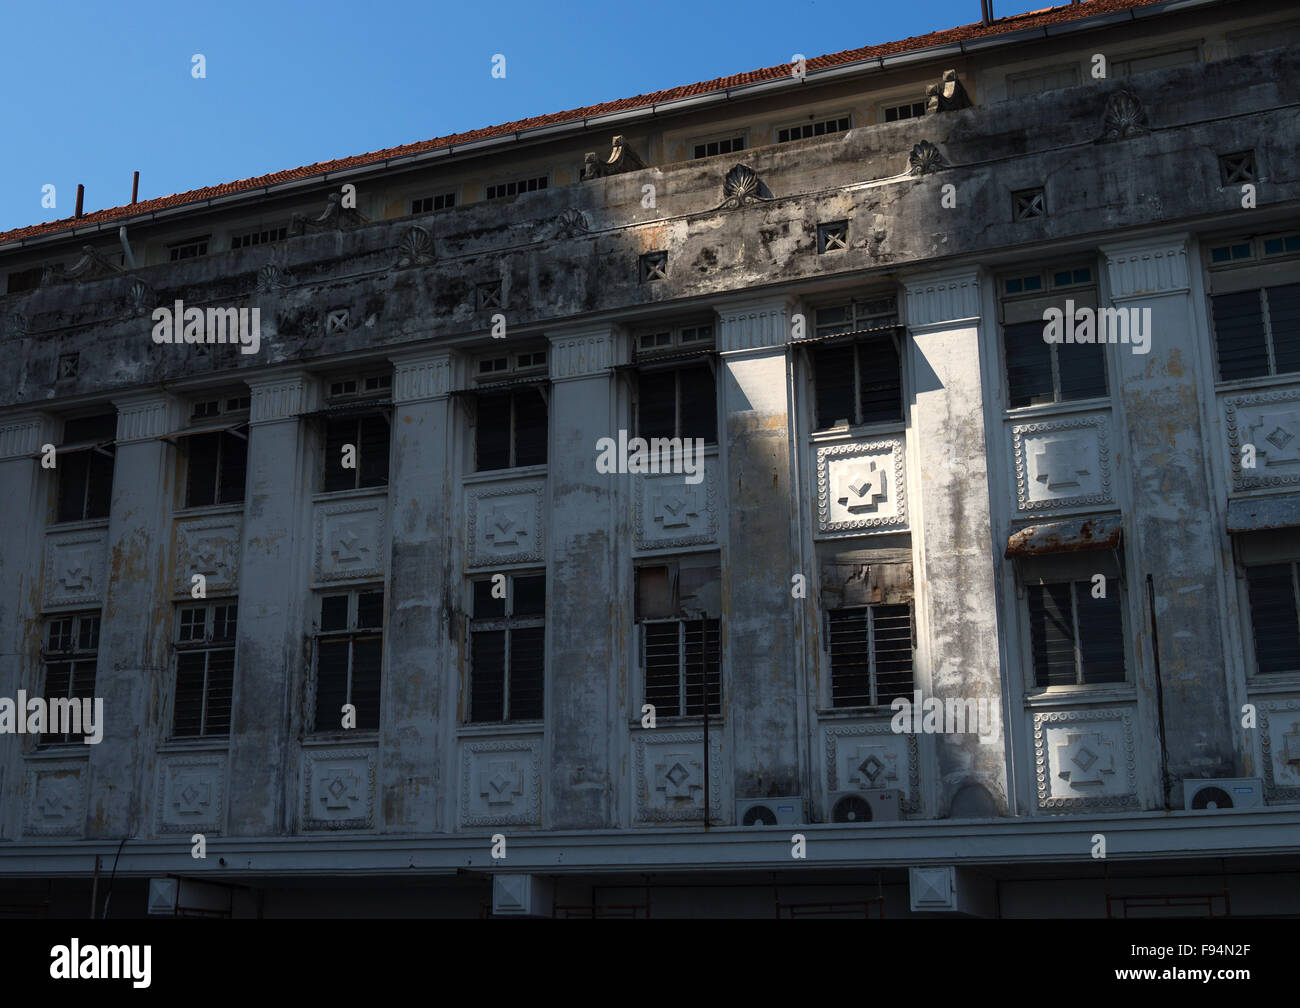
[349, 657]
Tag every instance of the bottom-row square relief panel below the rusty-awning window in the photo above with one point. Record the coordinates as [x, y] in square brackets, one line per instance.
[1085, 759]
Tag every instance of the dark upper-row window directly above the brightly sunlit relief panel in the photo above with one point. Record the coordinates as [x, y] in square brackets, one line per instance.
[857, 380]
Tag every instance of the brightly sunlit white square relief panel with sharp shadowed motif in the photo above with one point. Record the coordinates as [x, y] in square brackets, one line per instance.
[860, 487]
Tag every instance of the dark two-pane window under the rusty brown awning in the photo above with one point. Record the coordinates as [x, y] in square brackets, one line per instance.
[1077, 639]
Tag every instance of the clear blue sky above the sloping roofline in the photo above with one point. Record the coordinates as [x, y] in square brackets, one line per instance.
[94, 92]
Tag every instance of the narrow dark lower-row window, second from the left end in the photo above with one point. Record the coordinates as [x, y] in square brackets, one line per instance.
[205, 670]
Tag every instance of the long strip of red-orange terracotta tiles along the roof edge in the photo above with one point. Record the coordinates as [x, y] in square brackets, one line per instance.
[1033, 20]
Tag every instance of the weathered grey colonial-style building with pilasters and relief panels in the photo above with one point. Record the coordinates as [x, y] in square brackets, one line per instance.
[970, 583]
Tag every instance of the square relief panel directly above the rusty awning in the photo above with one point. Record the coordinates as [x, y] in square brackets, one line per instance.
[1063, 464]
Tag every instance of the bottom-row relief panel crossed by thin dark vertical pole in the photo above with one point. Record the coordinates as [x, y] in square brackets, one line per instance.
[670, 775]
